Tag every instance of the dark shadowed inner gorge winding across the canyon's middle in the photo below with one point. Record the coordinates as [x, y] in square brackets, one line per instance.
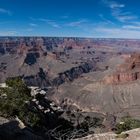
[42, 78]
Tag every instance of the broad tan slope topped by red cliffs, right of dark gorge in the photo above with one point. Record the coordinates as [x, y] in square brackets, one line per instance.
[114, 90]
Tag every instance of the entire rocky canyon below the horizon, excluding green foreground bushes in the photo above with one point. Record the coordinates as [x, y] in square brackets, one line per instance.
[78, 81]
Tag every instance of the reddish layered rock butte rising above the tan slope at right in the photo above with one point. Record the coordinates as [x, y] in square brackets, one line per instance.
[127, 72]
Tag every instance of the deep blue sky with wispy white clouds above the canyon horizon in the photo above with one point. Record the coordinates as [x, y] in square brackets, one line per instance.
[77, 18]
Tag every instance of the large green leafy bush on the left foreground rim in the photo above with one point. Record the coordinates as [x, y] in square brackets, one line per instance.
[16, 100]
